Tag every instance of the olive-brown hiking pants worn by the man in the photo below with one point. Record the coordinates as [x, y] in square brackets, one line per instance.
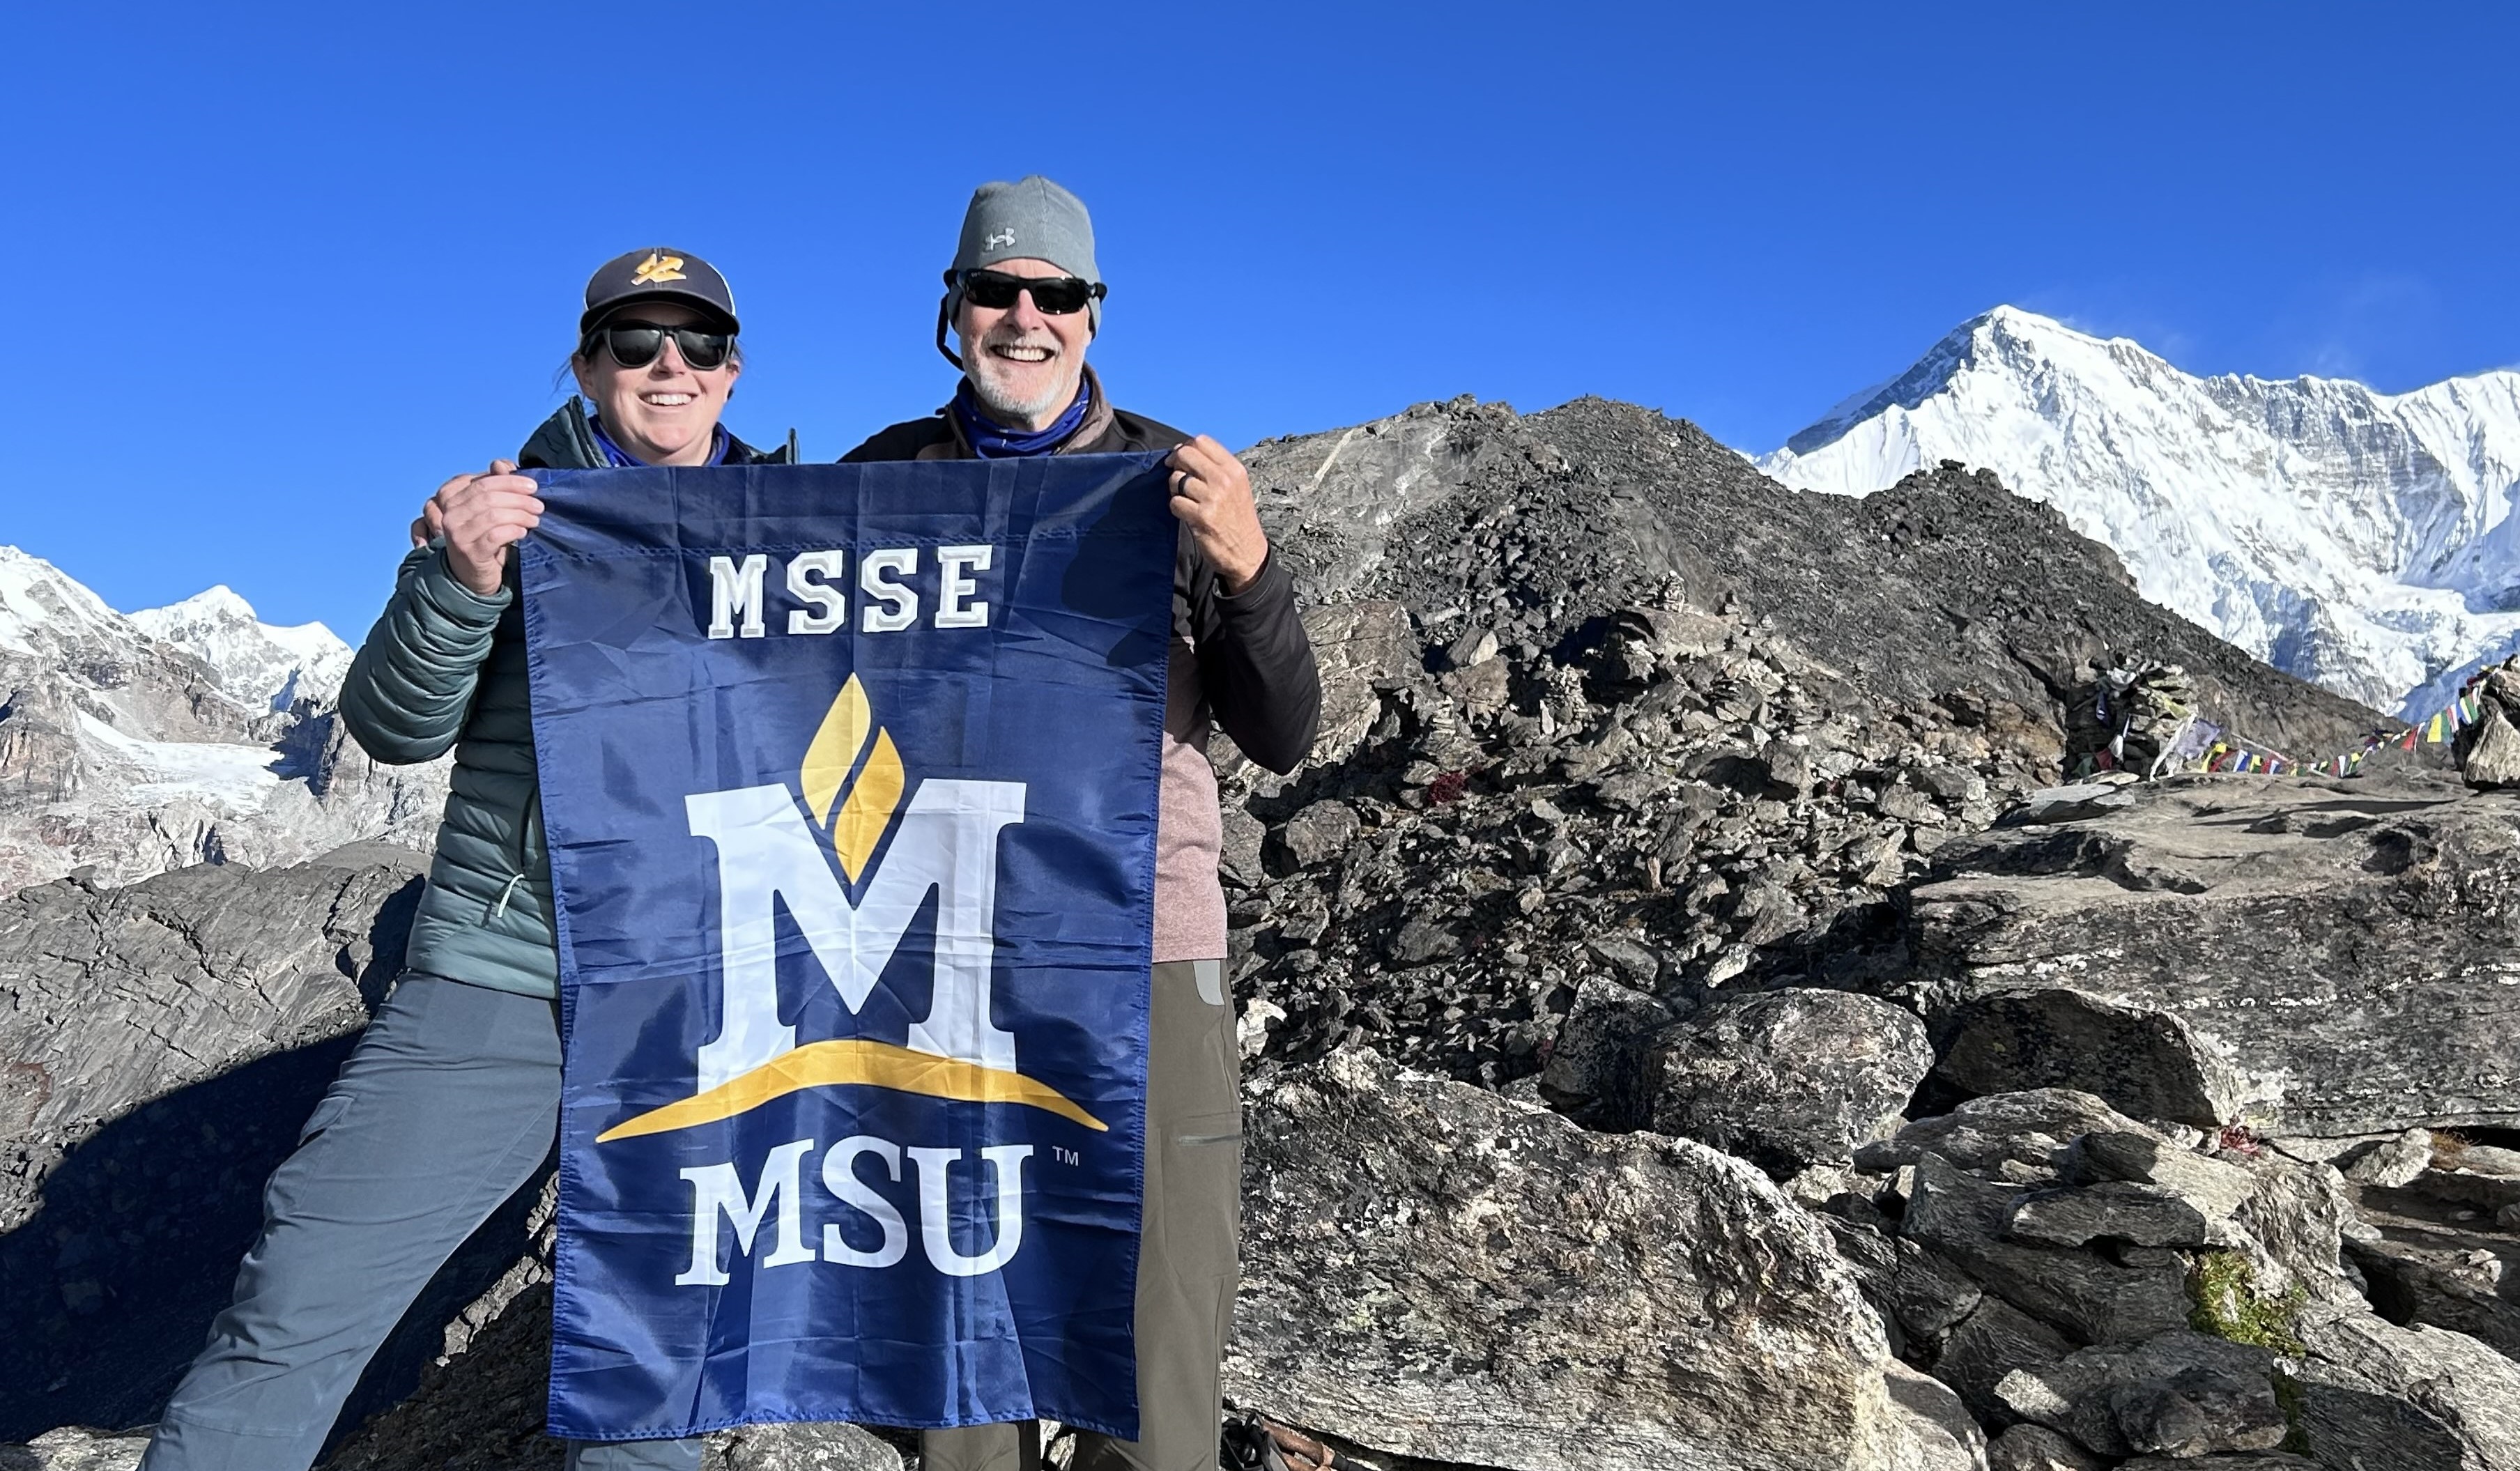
[1191, 1251]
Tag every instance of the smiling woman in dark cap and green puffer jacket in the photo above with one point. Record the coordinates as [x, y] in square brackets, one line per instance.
[452, 1099]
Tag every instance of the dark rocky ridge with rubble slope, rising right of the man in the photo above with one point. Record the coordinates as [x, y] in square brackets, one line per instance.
[1589, 712]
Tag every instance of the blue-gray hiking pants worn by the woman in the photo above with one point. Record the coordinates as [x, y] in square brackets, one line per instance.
[447, 1107]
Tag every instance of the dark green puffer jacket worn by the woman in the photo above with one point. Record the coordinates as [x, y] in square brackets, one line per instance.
[445, 666]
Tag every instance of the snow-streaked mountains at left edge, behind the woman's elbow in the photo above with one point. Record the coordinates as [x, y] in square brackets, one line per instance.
[178, 737]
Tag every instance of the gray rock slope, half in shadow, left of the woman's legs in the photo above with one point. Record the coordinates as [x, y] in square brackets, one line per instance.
[160, 1049]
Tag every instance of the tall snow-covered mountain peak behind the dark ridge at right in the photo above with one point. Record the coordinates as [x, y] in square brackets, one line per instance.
[2352, 538]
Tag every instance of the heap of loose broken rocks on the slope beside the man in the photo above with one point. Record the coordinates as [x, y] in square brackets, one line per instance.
[1692, 807]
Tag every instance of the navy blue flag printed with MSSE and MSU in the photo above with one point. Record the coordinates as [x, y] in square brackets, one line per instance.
[850, 787]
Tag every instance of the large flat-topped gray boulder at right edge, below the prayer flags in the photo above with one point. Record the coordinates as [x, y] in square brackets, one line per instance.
[2307, 956]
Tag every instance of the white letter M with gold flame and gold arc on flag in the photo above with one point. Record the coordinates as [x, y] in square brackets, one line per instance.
[941, 843]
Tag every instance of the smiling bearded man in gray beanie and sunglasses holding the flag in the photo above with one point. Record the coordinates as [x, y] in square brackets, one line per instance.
[1024, 298]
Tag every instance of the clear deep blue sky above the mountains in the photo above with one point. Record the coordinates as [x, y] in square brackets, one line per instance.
[281, 271]
